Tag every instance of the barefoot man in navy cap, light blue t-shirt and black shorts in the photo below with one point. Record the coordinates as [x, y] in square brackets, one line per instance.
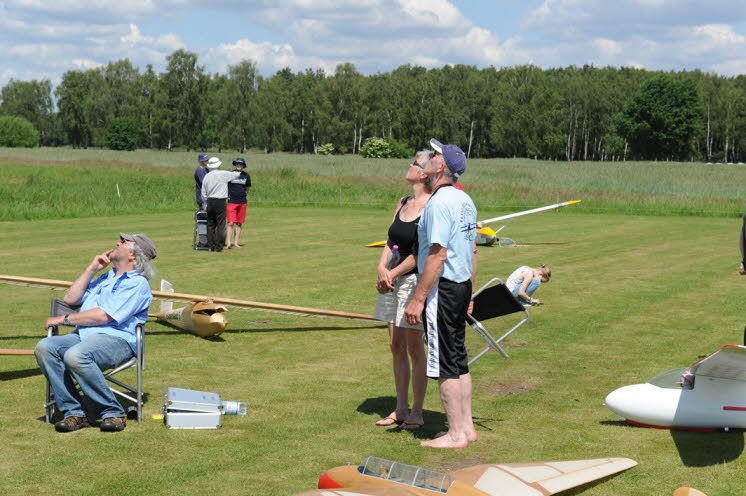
[446, 261]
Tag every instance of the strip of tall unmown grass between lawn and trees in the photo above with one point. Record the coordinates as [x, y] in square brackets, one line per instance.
[66, 183]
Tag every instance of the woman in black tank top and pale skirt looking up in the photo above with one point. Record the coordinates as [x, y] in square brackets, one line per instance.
[396, 288]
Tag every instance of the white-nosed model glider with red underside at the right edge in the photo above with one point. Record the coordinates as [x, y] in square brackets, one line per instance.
[709, 395]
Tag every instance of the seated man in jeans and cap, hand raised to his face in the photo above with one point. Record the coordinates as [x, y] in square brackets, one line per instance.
[111, 307]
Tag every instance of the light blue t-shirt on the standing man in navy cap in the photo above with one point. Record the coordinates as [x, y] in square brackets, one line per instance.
[450, 220]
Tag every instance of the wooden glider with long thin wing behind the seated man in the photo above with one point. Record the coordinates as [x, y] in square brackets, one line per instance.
[203, 316]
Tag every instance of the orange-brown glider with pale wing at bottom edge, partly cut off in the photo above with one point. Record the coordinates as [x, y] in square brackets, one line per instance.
[379, 477]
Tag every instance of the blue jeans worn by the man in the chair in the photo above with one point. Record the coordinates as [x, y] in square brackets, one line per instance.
[60, 357]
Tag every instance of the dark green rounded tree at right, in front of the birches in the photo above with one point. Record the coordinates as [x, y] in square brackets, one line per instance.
[661, 120]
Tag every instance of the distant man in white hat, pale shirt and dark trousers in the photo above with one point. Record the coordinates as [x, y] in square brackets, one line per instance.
[214, 192]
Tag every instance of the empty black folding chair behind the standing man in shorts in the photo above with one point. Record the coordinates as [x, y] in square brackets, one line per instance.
[489, 302]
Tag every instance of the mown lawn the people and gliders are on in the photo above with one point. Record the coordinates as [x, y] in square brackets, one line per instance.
[631, 296]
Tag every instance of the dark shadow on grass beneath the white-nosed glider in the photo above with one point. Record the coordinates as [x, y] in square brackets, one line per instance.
[702, 449]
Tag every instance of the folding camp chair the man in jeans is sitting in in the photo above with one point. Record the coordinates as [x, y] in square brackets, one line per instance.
[61, 308]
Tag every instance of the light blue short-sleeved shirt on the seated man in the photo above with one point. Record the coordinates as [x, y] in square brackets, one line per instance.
[125, 299]
